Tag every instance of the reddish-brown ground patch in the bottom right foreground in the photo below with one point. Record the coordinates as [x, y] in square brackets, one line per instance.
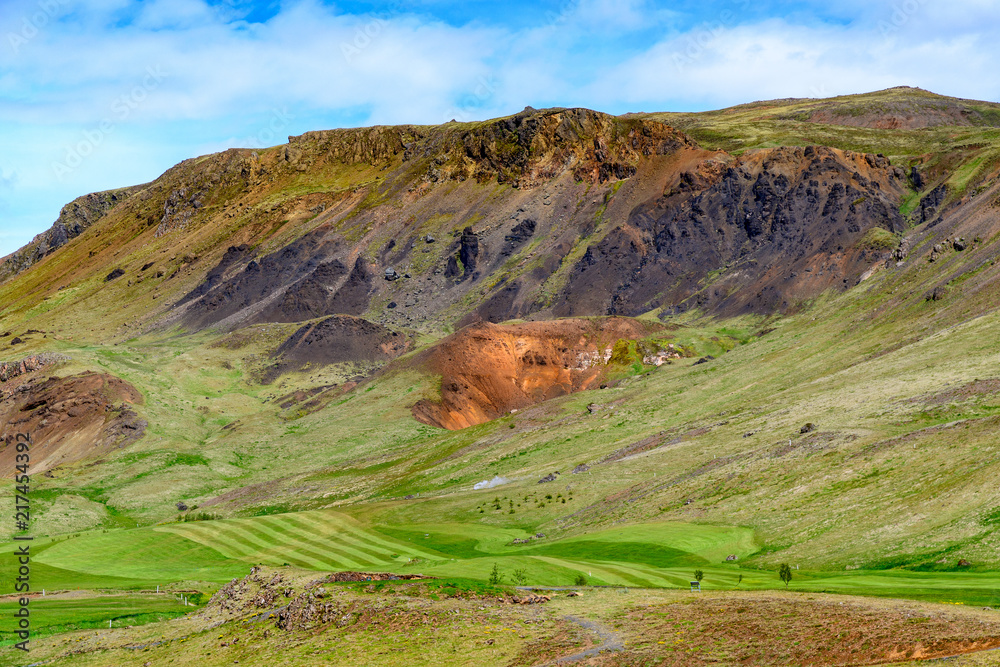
[801, 631]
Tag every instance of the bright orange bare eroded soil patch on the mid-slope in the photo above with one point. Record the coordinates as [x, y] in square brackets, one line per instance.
[487, 370]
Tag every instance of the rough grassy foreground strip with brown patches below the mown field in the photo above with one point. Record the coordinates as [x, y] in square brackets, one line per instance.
[466, 623]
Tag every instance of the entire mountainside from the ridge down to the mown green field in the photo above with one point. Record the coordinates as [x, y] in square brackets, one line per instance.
[849, 300]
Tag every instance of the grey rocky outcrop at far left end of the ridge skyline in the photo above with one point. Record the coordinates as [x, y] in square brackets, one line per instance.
[73, 220]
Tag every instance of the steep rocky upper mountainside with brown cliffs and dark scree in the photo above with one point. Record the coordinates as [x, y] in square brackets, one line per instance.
[553, 212]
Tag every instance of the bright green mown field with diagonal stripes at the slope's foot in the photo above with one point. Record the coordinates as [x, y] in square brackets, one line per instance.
[651, 555]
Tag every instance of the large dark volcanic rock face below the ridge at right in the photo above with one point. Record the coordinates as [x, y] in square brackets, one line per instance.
[760, 223]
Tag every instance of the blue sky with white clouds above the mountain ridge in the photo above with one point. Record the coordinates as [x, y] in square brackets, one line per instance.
[96, 94]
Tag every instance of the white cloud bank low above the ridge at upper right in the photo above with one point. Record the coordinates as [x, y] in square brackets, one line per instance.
[774, 59]
